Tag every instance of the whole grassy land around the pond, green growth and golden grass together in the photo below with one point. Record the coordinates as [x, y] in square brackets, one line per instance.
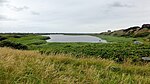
[116, 62]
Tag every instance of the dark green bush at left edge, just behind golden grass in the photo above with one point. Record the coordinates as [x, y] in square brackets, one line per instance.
[13, 45]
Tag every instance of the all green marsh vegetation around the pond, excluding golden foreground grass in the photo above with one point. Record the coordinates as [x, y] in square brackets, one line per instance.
[118, 49]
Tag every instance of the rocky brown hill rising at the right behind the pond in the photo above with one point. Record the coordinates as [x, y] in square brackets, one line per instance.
[135, 31]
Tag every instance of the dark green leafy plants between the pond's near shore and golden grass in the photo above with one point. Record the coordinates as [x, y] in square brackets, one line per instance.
[115, 51]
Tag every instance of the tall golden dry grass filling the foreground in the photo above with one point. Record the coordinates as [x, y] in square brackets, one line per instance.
[31, 67]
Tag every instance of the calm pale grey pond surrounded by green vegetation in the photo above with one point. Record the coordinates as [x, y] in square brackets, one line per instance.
[75, 38]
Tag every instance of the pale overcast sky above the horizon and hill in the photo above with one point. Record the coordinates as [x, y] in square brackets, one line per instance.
[72, 15]
